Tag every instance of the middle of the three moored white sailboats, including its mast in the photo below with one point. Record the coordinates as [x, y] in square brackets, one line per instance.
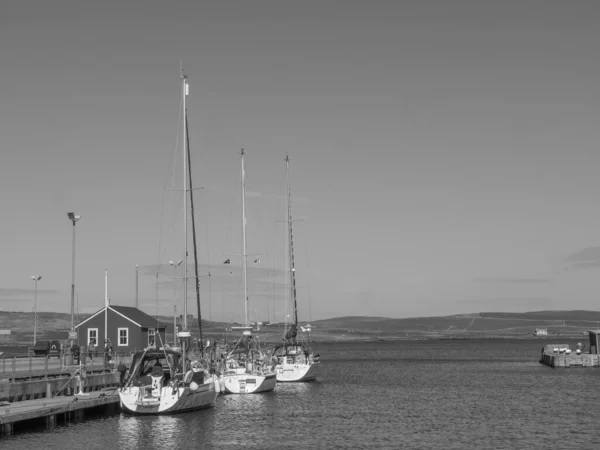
[247, 370]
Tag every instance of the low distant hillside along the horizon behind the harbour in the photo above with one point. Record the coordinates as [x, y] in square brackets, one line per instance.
[481, 325]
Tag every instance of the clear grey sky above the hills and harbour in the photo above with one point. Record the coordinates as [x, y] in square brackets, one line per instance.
[443, 154]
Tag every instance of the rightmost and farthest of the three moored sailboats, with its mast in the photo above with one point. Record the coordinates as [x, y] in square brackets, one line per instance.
[296, 360]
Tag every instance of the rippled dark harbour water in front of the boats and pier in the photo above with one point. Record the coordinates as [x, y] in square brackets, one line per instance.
[406, 394]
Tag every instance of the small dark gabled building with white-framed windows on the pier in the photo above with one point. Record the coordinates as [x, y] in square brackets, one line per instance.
[127, 328]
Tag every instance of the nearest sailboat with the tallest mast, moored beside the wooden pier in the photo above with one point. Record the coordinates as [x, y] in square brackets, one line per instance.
[161, 380]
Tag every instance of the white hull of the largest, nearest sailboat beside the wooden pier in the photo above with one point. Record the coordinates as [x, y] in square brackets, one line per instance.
[136, 400]
